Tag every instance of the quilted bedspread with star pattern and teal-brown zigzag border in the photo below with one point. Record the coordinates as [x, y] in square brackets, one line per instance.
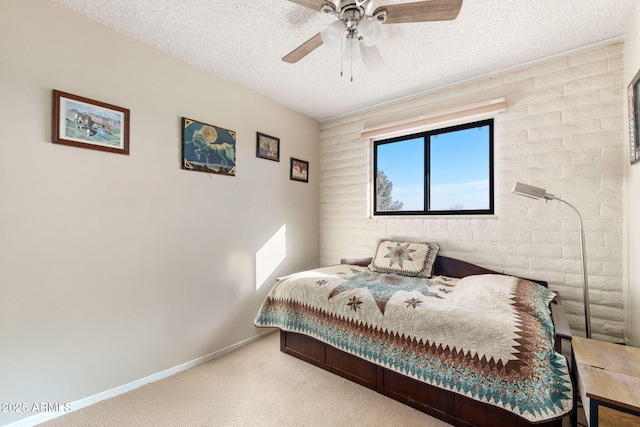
[489, 337]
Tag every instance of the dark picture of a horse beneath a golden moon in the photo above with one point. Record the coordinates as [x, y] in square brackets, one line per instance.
[208, 148]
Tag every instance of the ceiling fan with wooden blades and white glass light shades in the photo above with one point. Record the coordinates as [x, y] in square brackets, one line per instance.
[359, 26]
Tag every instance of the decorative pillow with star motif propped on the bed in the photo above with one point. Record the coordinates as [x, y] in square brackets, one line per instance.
[413, 259]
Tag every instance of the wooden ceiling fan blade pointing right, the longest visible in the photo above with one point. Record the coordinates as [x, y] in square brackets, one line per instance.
[422, 11]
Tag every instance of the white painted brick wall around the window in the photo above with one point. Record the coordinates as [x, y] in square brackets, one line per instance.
[562, 130]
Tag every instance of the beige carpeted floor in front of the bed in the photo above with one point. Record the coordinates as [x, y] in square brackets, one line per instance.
[256, 385]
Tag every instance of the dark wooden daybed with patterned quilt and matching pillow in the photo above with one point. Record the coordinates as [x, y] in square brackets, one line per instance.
[467, 345]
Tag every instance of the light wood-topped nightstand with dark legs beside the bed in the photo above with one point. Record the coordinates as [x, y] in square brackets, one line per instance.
[608, 377]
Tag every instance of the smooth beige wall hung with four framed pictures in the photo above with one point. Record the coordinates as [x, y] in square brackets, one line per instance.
[112, 267]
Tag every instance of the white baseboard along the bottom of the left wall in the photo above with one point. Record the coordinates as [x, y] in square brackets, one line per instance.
[88, 401]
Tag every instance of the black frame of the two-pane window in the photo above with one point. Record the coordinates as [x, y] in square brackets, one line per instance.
[426, 135]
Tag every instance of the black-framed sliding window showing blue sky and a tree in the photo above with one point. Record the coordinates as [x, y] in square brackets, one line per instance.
[440, 172]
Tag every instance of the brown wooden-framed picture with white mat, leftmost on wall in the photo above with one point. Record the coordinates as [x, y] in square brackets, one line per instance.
[87, 123]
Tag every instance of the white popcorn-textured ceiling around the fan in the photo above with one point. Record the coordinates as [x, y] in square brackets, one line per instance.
[244, 41]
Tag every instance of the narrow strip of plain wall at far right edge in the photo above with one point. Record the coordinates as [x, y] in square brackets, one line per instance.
[632, 201]
